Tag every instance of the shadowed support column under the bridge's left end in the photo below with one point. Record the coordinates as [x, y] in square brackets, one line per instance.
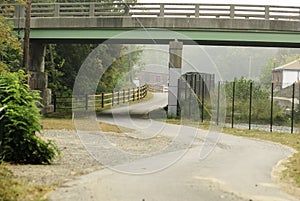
[39, 79]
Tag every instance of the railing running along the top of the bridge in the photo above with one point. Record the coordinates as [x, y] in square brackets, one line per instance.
[185, 10]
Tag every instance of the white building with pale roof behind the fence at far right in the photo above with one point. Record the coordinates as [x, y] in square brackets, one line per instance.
[286, 75]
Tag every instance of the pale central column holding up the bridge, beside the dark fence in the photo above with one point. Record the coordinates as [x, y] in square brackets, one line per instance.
[175, 63]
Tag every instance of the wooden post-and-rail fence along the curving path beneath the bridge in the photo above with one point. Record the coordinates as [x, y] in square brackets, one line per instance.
[99, 101]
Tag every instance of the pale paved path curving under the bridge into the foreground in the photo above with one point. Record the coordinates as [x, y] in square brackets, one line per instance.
[237, 169]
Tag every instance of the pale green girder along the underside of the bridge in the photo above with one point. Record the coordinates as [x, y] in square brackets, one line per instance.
[157, 36]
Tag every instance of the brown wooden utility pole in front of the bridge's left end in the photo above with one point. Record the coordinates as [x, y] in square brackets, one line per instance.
[27, 36]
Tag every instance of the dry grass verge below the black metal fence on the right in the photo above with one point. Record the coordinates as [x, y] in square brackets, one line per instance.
[292, 140]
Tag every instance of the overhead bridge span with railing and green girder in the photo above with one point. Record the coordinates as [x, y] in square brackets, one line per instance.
[213, 24]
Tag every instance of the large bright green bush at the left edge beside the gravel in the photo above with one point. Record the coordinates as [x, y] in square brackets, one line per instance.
[20, 144]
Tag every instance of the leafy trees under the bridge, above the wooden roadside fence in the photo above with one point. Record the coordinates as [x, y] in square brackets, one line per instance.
[65, 60]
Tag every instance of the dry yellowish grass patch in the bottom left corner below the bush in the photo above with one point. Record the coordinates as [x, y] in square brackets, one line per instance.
[13, 190]
